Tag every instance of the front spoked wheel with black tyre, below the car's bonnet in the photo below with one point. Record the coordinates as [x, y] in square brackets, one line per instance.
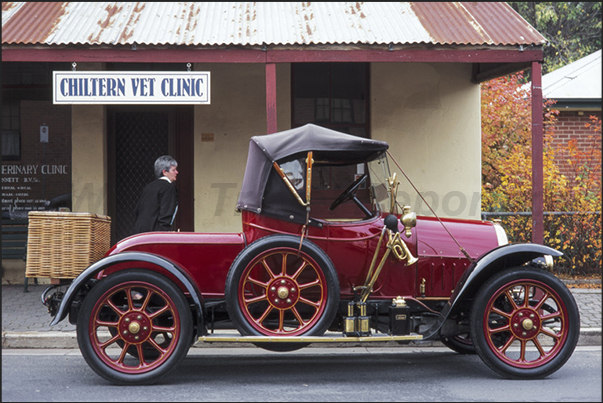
[525, 323]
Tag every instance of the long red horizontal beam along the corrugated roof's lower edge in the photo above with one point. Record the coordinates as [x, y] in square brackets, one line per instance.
[229, 55]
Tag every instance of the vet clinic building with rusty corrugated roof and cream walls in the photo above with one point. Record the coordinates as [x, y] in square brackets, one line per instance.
[405, 73]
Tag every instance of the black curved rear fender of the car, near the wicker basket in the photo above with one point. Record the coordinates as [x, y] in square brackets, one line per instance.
[178, 272]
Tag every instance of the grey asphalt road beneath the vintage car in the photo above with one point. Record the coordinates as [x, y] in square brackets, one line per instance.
[250, 374]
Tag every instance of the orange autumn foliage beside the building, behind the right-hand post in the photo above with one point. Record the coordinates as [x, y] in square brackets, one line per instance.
[569, 201]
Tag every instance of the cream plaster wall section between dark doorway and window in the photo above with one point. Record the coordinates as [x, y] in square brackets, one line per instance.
[237, 112]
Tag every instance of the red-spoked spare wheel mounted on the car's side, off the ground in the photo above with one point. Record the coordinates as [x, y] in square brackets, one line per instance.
[272, 289]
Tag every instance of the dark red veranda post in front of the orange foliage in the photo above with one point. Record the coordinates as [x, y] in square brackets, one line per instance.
[537, 156]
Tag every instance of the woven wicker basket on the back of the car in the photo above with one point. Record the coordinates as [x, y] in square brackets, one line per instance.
[61, 245]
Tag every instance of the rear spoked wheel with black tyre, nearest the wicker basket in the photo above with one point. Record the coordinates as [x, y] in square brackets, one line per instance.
[134, 327]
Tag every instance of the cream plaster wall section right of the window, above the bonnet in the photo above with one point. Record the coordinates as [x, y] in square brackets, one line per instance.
[429, 113]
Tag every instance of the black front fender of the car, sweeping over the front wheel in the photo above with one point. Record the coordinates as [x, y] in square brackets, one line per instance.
[487, 265]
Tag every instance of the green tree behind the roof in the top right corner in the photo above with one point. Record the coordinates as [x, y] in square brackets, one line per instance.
[573, 29]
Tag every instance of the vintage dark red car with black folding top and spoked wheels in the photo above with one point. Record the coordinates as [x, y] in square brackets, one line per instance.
[311, 268]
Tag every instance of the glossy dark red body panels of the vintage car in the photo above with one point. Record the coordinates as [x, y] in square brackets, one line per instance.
[350, 245]
